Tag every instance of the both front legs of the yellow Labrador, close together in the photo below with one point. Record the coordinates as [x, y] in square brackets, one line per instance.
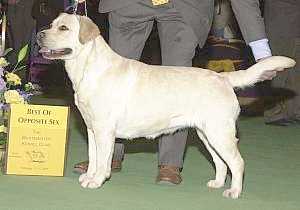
[101, 143]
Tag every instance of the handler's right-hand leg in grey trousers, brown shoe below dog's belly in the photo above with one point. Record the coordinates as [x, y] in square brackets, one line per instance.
[178, 44]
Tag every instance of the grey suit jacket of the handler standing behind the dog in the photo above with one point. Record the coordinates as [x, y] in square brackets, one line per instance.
[199, 14]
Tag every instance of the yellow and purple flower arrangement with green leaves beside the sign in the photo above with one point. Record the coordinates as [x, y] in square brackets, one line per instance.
[12, 91]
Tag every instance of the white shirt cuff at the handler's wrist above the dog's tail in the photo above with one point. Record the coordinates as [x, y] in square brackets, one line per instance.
[260, 49]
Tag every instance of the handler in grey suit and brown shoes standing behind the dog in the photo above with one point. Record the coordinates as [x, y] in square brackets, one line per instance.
[182, 25]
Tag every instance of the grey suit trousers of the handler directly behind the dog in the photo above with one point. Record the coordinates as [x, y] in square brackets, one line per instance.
[128, 32]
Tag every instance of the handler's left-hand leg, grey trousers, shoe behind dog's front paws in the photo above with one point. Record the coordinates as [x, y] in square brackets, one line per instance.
[129, 29]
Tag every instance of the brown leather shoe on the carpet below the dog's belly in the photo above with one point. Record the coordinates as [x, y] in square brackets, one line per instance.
[168, 175]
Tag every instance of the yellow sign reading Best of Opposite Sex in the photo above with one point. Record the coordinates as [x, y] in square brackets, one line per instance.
[37, 139]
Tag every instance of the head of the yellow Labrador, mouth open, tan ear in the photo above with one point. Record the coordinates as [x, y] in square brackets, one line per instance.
[66, 36]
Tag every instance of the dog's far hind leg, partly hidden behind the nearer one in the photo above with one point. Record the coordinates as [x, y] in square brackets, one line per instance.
[221, 168]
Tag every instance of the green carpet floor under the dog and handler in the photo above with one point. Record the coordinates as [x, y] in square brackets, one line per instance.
[272, 156]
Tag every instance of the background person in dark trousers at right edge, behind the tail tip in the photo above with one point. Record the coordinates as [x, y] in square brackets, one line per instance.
[282, 19]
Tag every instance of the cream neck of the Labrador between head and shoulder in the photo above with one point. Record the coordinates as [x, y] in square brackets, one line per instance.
[97, 48]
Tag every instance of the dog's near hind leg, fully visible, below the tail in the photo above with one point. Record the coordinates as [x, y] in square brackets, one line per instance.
[221, 136]
